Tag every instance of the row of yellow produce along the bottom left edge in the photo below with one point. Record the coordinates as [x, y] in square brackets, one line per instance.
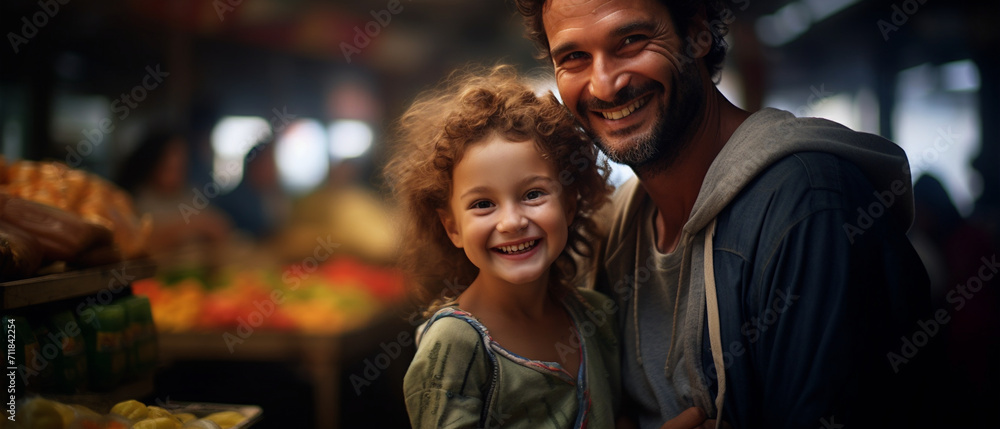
[43, 413]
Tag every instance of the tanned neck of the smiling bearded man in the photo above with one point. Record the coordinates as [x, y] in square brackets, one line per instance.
[675, 188]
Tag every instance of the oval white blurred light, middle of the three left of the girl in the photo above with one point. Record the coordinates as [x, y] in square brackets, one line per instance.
[301, 156]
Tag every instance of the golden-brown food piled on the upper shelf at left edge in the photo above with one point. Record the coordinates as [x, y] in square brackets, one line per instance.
[50, 213]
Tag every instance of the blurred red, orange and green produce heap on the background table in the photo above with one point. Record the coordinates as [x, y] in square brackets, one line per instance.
[335, 296]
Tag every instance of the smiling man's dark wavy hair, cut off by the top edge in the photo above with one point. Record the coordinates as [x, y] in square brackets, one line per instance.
[716, 15]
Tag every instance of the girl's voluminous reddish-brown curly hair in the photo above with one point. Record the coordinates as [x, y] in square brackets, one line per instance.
[430, 139]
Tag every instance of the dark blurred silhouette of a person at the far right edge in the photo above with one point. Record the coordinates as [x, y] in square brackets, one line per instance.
[961, 258]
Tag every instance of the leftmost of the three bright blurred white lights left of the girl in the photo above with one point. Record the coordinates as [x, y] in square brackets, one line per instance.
[232, 138]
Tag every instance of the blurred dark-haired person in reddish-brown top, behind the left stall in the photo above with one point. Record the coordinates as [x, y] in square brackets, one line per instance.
[155, 174]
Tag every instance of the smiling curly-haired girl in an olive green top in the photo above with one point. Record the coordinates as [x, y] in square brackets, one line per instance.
[498, 186]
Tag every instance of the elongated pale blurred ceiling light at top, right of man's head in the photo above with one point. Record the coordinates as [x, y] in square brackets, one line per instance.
[795, 18]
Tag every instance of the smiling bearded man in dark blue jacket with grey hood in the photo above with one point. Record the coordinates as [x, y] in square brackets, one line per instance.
[753, 288]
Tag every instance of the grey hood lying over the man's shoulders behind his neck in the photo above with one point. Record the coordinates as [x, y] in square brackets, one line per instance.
[771, 134]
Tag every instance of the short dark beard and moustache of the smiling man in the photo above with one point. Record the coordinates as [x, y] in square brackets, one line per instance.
[658, 149]
